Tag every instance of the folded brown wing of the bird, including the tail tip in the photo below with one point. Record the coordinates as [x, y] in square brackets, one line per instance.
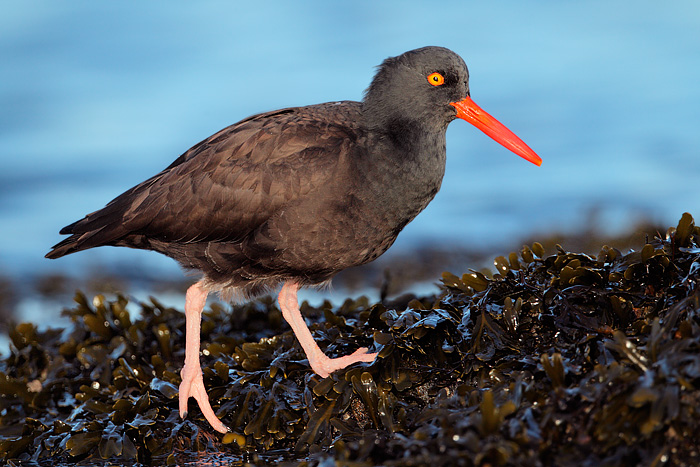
[226, 186]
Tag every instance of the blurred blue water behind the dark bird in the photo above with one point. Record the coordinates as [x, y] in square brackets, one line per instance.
[96, 97]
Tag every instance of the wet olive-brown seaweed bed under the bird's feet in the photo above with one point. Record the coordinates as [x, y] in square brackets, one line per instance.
[565, 359]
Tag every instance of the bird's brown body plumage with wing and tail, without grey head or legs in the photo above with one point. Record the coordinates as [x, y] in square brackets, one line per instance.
[277, 196]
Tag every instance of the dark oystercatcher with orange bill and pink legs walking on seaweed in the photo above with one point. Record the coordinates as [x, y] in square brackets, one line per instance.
[293, 196]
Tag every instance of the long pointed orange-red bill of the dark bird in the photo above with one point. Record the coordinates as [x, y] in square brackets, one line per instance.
[467, 110]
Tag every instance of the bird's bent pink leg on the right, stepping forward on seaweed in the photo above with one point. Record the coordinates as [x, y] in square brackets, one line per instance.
[319, 362]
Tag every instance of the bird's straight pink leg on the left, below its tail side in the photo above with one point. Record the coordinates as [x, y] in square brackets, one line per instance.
[192, 383]
